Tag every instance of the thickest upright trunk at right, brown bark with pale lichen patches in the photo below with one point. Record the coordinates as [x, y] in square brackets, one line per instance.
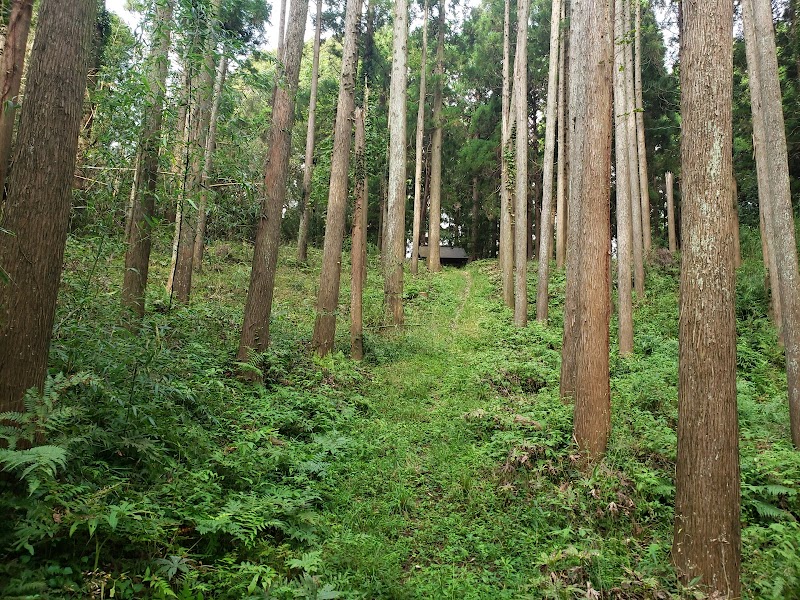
[707, 541]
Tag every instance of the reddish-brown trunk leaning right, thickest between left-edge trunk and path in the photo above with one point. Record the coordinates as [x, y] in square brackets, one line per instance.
[258, 307]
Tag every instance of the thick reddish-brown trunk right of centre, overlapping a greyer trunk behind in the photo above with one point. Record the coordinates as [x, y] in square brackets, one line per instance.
[592, 415]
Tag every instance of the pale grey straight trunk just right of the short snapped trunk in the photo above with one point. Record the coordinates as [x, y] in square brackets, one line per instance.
[395, 248]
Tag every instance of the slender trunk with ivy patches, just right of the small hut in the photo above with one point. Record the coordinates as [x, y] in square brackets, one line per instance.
[506, 249]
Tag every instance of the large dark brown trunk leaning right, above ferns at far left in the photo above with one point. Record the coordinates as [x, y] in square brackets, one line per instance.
[36, 215]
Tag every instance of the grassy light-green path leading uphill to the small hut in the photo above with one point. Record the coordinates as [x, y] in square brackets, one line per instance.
[417, 513]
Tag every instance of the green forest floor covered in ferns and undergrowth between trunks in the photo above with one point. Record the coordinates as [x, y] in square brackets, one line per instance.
[442, 466]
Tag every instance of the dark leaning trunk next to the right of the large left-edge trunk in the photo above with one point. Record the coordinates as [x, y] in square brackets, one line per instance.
[137, 255]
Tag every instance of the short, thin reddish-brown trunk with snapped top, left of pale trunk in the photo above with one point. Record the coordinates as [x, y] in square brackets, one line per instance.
[358, 249]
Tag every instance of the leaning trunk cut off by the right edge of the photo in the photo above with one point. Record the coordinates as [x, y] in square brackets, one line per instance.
[779, 200]
